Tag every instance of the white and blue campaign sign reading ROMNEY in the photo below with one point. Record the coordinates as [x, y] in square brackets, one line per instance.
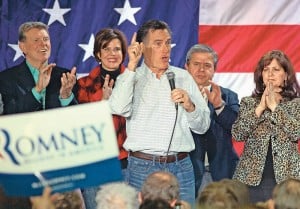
[65, 148]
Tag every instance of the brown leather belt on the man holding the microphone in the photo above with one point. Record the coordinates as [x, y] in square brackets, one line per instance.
[157, 158]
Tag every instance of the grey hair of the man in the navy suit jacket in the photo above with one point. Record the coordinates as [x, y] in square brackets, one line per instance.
[202, 48]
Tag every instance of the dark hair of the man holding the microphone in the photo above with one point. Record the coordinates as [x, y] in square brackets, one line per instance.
[151, 25]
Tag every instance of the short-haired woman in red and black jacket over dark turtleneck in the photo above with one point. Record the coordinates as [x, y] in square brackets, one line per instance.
[109, 50]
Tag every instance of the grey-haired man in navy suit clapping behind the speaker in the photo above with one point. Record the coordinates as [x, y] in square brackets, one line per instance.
[214, 154]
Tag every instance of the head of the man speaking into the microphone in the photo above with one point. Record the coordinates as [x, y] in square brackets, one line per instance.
[156, 38]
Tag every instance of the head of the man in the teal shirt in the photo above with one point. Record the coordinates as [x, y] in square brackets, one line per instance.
[34, 42]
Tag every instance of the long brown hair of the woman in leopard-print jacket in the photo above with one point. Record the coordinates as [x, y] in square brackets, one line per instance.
[291, 88]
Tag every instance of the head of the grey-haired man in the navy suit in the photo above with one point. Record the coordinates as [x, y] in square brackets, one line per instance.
[201, 63]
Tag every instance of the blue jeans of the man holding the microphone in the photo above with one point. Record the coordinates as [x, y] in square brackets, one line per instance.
[138, 170]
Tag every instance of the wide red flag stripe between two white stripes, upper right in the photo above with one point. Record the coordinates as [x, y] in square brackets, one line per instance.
[240, 46]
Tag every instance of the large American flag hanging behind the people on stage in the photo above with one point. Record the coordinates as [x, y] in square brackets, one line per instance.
[240, 31]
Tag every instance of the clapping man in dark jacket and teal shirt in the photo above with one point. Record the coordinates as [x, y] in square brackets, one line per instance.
[34, 84]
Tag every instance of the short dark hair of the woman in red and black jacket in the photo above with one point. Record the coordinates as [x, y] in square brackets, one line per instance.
[104, 36]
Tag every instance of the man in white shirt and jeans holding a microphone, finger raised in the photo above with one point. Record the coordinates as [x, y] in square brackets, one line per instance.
[158, 134]
